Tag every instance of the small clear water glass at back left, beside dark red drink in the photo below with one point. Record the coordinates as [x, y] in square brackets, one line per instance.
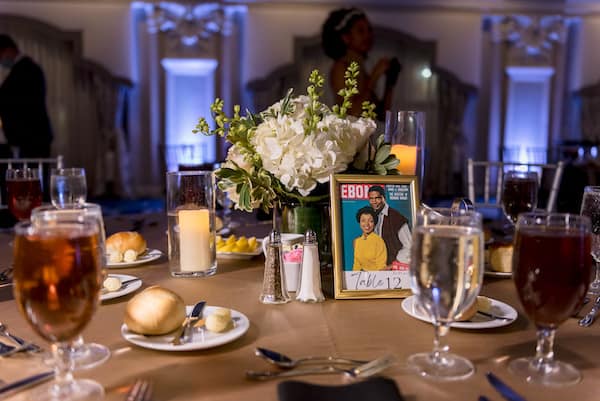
[68, 187]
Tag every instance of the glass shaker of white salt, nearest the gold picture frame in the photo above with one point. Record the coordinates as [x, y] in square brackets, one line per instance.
[309, 287]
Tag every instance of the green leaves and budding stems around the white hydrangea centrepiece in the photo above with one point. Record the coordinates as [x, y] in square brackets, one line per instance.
[257, 187]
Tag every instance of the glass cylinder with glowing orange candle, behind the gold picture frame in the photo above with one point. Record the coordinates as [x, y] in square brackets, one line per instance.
[405, 131]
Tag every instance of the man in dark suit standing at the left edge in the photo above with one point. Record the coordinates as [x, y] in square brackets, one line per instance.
[23, 111]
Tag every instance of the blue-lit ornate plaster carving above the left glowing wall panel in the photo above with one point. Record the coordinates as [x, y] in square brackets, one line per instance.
[191, 22]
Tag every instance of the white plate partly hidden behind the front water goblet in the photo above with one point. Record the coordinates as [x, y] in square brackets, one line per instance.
[478, 321]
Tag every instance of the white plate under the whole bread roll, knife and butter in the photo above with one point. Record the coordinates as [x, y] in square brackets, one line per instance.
[201, 338]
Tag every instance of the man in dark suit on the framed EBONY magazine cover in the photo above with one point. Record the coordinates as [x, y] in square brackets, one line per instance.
[392, 226]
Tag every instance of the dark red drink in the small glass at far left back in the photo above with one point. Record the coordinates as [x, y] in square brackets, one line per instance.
[24, 195]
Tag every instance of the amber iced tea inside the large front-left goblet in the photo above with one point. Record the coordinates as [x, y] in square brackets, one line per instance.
[57, 279]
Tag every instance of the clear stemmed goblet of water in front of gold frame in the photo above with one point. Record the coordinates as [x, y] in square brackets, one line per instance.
[446, 271]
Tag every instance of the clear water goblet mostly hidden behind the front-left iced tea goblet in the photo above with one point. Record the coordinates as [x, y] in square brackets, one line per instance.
[84, 355]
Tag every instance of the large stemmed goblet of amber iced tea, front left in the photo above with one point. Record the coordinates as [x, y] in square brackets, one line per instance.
[57, 279]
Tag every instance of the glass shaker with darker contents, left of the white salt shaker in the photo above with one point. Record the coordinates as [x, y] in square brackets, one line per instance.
[274, 289]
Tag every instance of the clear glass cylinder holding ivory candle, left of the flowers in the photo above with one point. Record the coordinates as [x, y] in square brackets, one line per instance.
[191, 223]
